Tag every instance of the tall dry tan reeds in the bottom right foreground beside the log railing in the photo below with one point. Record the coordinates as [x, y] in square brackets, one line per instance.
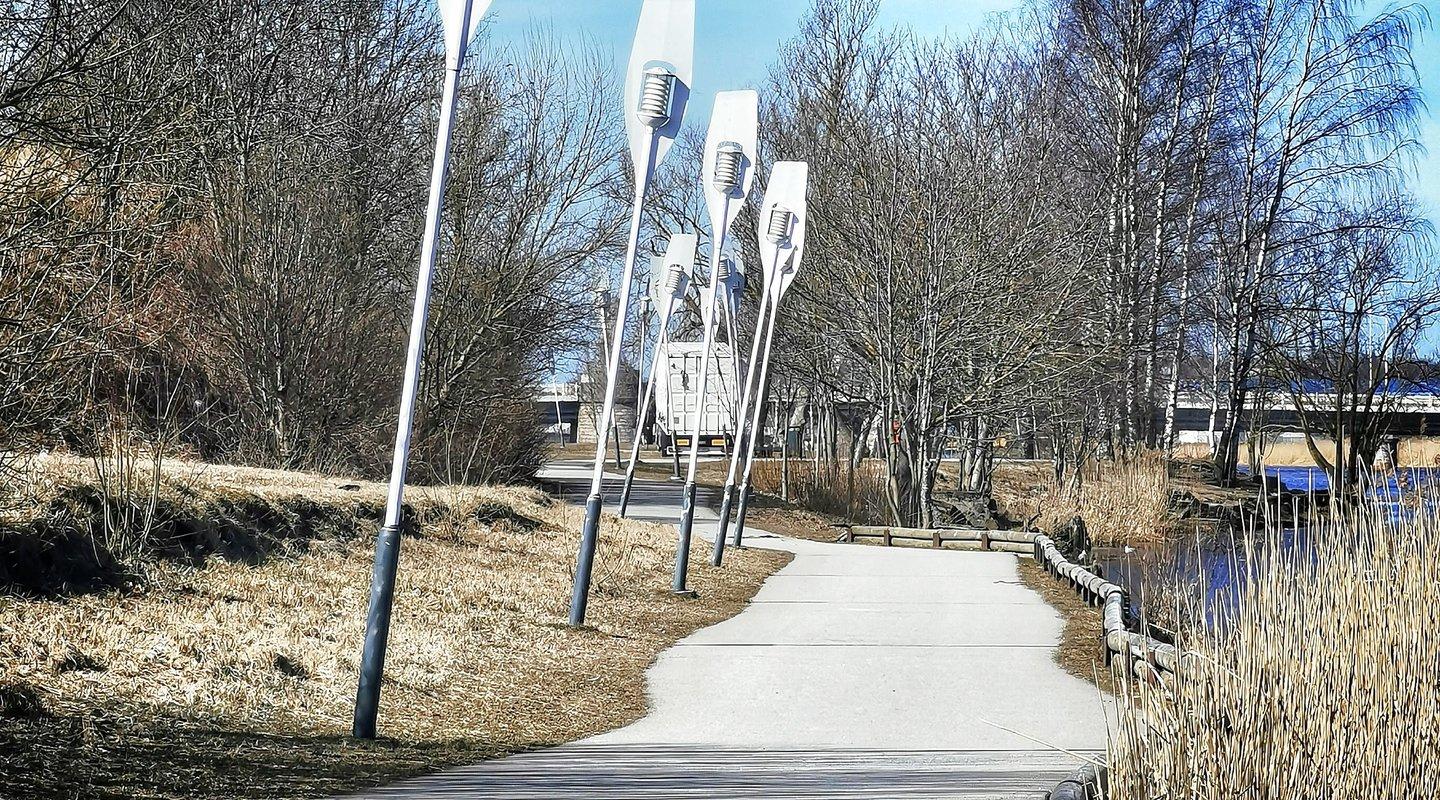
[1321, 680]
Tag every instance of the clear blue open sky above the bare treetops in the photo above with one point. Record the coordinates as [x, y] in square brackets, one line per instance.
[738, 40]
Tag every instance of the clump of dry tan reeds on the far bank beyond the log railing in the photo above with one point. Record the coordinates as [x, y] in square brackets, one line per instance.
[1124, 501]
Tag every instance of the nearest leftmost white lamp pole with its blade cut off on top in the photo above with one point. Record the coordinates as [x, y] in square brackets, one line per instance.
[460, 19]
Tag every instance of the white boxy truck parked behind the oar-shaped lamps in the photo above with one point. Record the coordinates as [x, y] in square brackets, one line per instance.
[678, 398]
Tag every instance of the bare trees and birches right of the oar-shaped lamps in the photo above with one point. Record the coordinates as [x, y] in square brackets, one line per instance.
[1055, 228]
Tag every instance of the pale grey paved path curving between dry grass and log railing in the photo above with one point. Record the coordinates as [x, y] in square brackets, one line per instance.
[858, 673]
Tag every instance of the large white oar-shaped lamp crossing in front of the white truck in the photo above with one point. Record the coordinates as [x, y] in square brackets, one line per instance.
[726, 173]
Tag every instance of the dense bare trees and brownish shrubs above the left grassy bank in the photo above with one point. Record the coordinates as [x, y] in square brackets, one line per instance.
[210, 227]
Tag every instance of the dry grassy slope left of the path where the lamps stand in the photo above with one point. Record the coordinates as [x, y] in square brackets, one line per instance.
[217, 657]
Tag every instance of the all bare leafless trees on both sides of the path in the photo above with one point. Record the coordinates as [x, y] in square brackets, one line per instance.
[1046, 232]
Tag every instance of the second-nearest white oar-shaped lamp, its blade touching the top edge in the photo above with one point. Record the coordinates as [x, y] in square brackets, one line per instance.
[657, 88]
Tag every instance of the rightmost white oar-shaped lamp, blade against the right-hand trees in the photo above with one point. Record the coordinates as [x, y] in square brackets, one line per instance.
[783, 242]
